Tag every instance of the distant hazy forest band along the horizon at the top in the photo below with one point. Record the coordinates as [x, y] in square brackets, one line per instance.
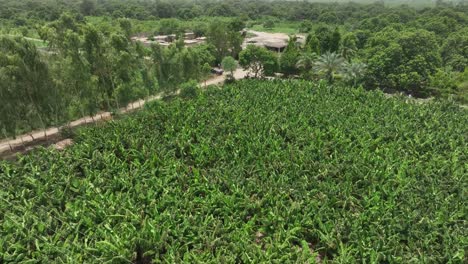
[330, 13]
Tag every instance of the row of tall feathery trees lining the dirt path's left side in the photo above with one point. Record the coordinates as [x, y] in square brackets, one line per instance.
[84, 70]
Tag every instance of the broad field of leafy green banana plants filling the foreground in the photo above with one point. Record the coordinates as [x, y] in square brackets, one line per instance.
[258, 172]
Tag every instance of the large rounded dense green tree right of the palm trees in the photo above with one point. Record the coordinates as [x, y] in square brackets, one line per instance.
[402, 60]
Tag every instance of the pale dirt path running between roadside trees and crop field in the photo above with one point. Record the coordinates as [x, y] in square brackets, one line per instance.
[54, 132]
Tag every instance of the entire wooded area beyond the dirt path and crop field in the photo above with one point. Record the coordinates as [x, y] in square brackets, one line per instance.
[89, 67]
